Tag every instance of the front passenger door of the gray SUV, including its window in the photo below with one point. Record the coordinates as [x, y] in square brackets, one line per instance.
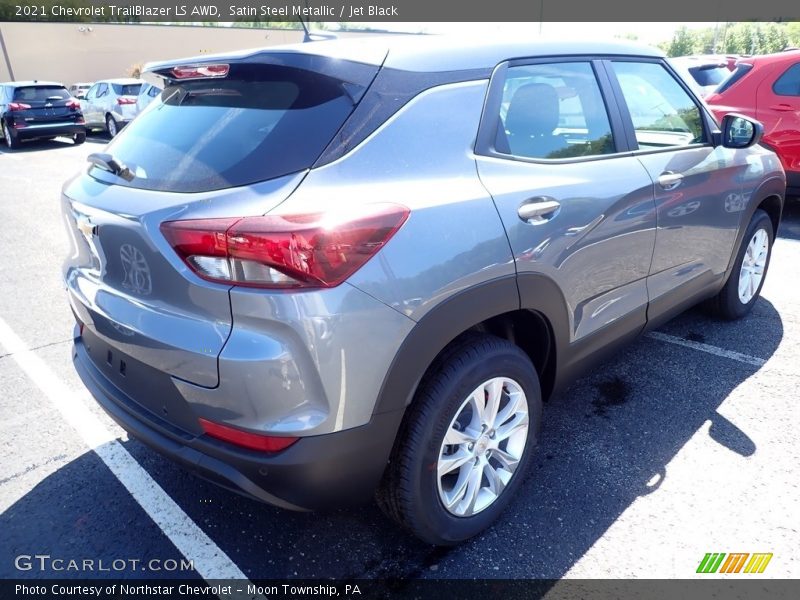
[697, 186]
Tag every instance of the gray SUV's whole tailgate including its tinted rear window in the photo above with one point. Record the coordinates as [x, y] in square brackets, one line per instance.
[222, 147]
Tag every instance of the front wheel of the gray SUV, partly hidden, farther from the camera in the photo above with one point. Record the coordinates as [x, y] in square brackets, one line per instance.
[744, 284]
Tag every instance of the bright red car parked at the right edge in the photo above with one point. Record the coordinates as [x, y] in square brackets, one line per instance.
[767, 88]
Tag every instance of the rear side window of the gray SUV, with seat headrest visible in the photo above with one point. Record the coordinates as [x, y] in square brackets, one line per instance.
[553, 110]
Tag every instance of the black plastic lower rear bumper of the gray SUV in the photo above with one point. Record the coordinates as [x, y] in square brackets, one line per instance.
[316, 473]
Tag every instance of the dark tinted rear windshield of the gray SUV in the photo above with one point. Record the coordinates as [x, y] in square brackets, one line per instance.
[259, 123]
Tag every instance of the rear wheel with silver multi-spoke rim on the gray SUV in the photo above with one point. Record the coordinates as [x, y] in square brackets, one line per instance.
[466, 442]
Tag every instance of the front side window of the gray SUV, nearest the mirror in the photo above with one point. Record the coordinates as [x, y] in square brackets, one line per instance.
[663, 113]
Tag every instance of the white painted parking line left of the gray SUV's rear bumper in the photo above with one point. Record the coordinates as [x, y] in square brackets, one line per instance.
[208, 559]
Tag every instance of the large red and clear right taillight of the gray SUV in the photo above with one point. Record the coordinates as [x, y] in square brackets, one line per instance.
[286, 251]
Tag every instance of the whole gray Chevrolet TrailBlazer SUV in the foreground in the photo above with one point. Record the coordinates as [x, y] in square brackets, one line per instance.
[317, 273]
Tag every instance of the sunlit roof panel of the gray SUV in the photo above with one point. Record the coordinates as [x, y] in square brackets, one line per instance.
[430, 53]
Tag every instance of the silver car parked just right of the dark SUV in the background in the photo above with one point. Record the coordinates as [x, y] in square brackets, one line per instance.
[110, 104]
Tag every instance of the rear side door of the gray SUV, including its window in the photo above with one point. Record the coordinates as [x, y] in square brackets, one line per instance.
[577, 207]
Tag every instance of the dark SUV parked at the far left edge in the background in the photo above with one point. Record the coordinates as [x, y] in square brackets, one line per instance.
[31, 110]
